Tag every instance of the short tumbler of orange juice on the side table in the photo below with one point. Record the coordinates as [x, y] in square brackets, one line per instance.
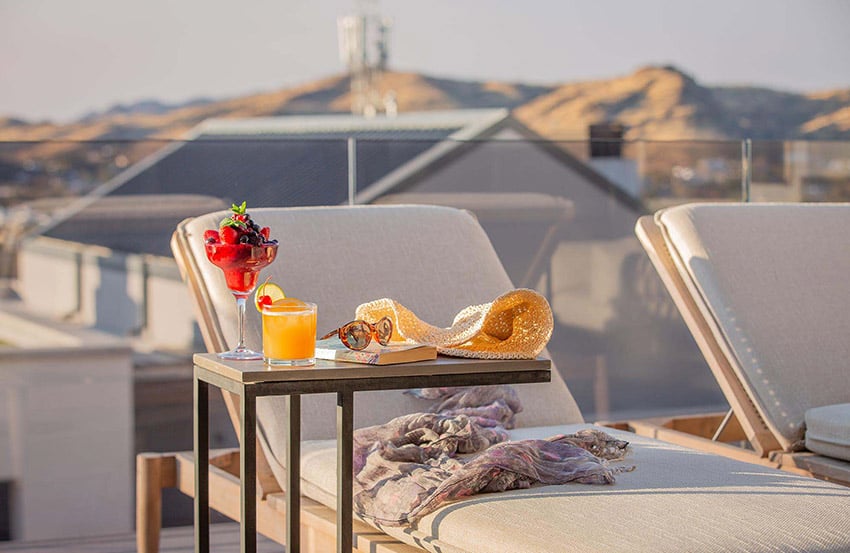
[289, 333]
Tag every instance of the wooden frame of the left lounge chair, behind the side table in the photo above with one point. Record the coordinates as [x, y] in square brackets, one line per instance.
[157, 471]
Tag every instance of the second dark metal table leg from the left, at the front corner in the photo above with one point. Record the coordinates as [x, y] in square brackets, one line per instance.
[248, 470]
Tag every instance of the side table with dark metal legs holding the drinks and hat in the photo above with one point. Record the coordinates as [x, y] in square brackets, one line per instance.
[252, 379]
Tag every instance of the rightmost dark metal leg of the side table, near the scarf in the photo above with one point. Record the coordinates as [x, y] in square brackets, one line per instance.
[344, 475]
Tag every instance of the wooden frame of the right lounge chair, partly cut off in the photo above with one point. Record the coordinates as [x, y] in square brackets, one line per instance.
[718, 432]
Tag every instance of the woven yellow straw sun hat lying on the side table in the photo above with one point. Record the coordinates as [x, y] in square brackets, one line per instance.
[516, 325]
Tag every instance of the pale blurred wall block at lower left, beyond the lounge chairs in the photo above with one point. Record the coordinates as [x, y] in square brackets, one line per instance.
[67, 416]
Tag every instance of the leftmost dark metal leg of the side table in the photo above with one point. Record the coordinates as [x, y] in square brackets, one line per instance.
[202, 455]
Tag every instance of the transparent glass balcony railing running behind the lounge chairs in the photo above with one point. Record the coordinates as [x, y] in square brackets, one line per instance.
[85, 230]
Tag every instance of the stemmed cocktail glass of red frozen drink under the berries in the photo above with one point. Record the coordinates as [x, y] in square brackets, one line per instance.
[241, 264]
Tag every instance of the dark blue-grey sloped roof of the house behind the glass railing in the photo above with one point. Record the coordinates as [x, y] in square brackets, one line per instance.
[270, 173]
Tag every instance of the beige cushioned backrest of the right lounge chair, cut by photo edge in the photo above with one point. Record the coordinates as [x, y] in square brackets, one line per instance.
[773, 282]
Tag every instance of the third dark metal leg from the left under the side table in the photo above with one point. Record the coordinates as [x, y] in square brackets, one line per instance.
[293, 474]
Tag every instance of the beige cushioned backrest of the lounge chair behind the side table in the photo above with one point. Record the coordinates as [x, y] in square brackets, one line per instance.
[434, 260]
